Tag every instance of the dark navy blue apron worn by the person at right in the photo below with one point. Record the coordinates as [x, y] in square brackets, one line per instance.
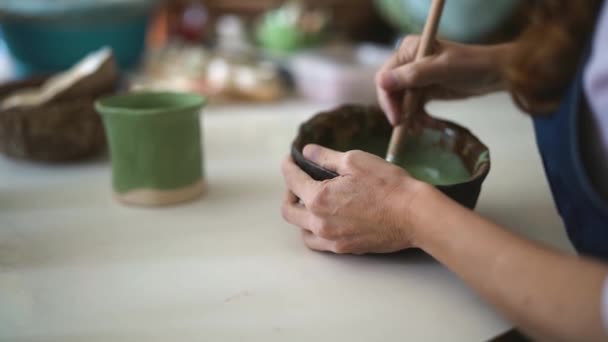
[583, 211]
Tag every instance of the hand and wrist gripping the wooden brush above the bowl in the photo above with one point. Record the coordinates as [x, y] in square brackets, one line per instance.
[453, 71]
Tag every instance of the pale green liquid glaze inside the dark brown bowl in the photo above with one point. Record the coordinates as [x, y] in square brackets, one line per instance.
[422, 156]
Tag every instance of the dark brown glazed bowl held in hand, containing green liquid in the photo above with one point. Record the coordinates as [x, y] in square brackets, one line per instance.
[346, 127]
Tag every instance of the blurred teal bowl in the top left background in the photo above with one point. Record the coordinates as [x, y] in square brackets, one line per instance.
[49, 36]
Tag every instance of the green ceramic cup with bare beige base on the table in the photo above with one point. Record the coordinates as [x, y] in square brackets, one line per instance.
[155, 146]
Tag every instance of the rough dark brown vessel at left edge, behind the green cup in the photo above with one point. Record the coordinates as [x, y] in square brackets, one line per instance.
[64, 129]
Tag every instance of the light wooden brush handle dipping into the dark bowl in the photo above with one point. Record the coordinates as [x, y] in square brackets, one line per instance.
[411, 104]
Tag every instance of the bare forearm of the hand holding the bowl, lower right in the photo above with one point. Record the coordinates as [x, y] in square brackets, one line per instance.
[548, 294]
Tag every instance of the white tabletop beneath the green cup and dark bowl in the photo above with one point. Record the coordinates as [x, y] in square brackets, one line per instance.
[77, 266]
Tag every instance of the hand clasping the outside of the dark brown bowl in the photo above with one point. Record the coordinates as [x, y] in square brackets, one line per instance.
[364, 210]
